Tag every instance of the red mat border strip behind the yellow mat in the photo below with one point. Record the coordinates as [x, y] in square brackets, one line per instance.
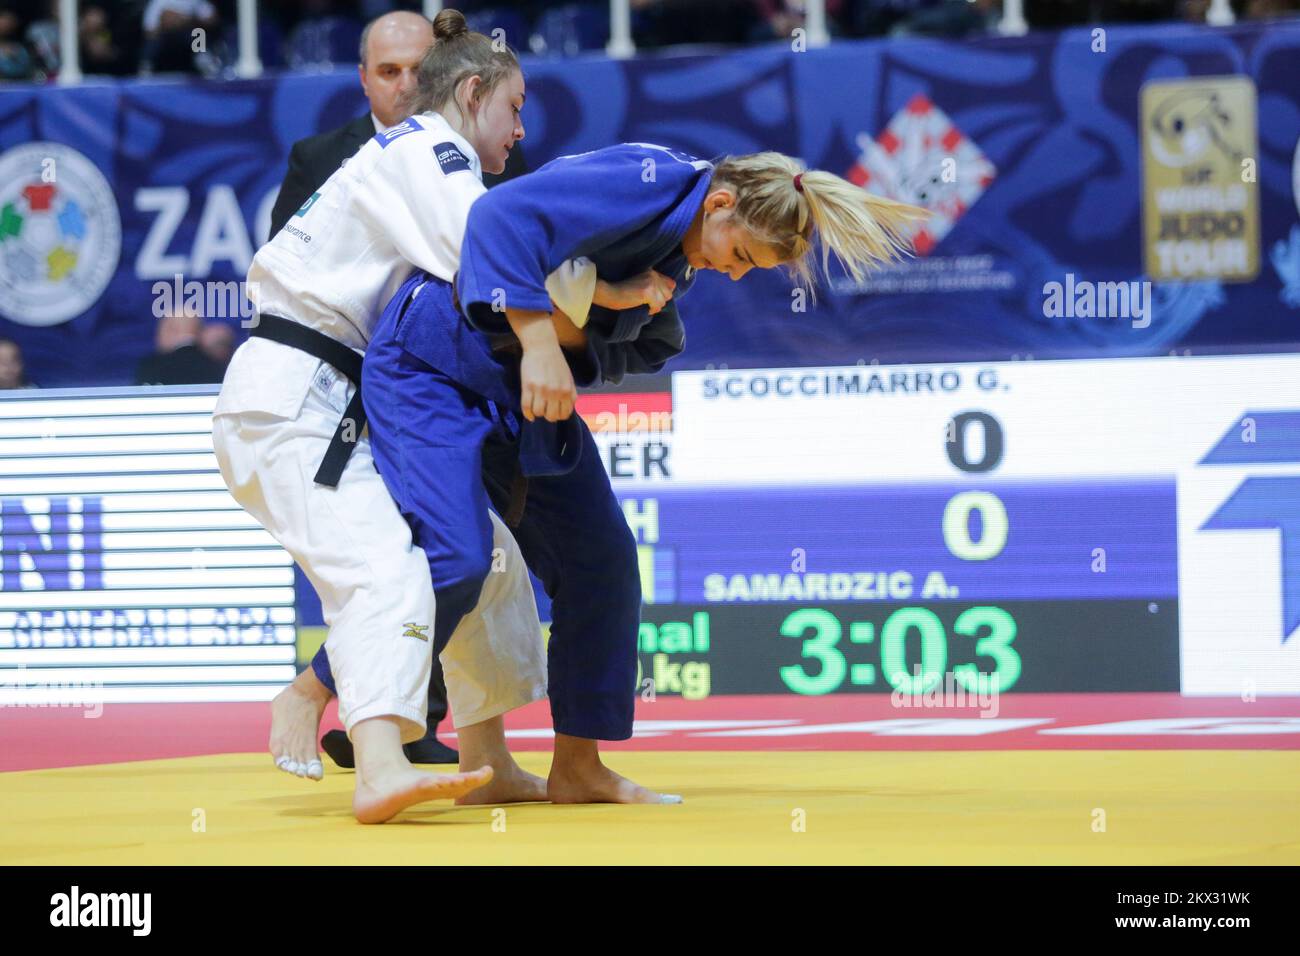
[40, 738]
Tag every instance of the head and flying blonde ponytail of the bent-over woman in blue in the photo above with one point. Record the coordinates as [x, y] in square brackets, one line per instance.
[863, 231]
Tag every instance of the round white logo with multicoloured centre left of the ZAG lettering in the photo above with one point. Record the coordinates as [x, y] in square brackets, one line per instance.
[60, 235]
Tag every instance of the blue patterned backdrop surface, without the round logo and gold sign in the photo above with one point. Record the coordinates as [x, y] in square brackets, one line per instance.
[1051, 124]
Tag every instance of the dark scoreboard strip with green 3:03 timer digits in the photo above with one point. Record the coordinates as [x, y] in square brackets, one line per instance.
[969, 654]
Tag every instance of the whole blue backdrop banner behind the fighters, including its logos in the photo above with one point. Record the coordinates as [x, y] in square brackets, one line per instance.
[1120, 192]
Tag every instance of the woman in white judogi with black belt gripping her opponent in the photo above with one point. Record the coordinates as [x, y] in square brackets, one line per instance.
[289, 435]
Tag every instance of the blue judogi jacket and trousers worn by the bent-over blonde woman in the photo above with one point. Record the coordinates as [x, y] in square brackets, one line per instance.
[448, 436]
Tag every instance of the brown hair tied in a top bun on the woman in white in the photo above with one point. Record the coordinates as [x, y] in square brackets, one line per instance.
[458, 54]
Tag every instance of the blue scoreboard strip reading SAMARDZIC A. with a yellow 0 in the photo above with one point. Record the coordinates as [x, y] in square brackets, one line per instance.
[890, 543]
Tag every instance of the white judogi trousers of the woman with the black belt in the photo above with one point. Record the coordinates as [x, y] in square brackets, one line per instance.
[357, 550]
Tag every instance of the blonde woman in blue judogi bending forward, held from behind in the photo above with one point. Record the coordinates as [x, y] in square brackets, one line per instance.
[460, 419]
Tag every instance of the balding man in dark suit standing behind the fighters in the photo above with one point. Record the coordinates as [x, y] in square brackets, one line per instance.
[392, 49]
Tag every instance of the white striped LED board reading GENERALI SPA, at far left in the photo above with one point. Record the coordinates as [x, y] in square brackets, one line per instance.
[129, 573]
